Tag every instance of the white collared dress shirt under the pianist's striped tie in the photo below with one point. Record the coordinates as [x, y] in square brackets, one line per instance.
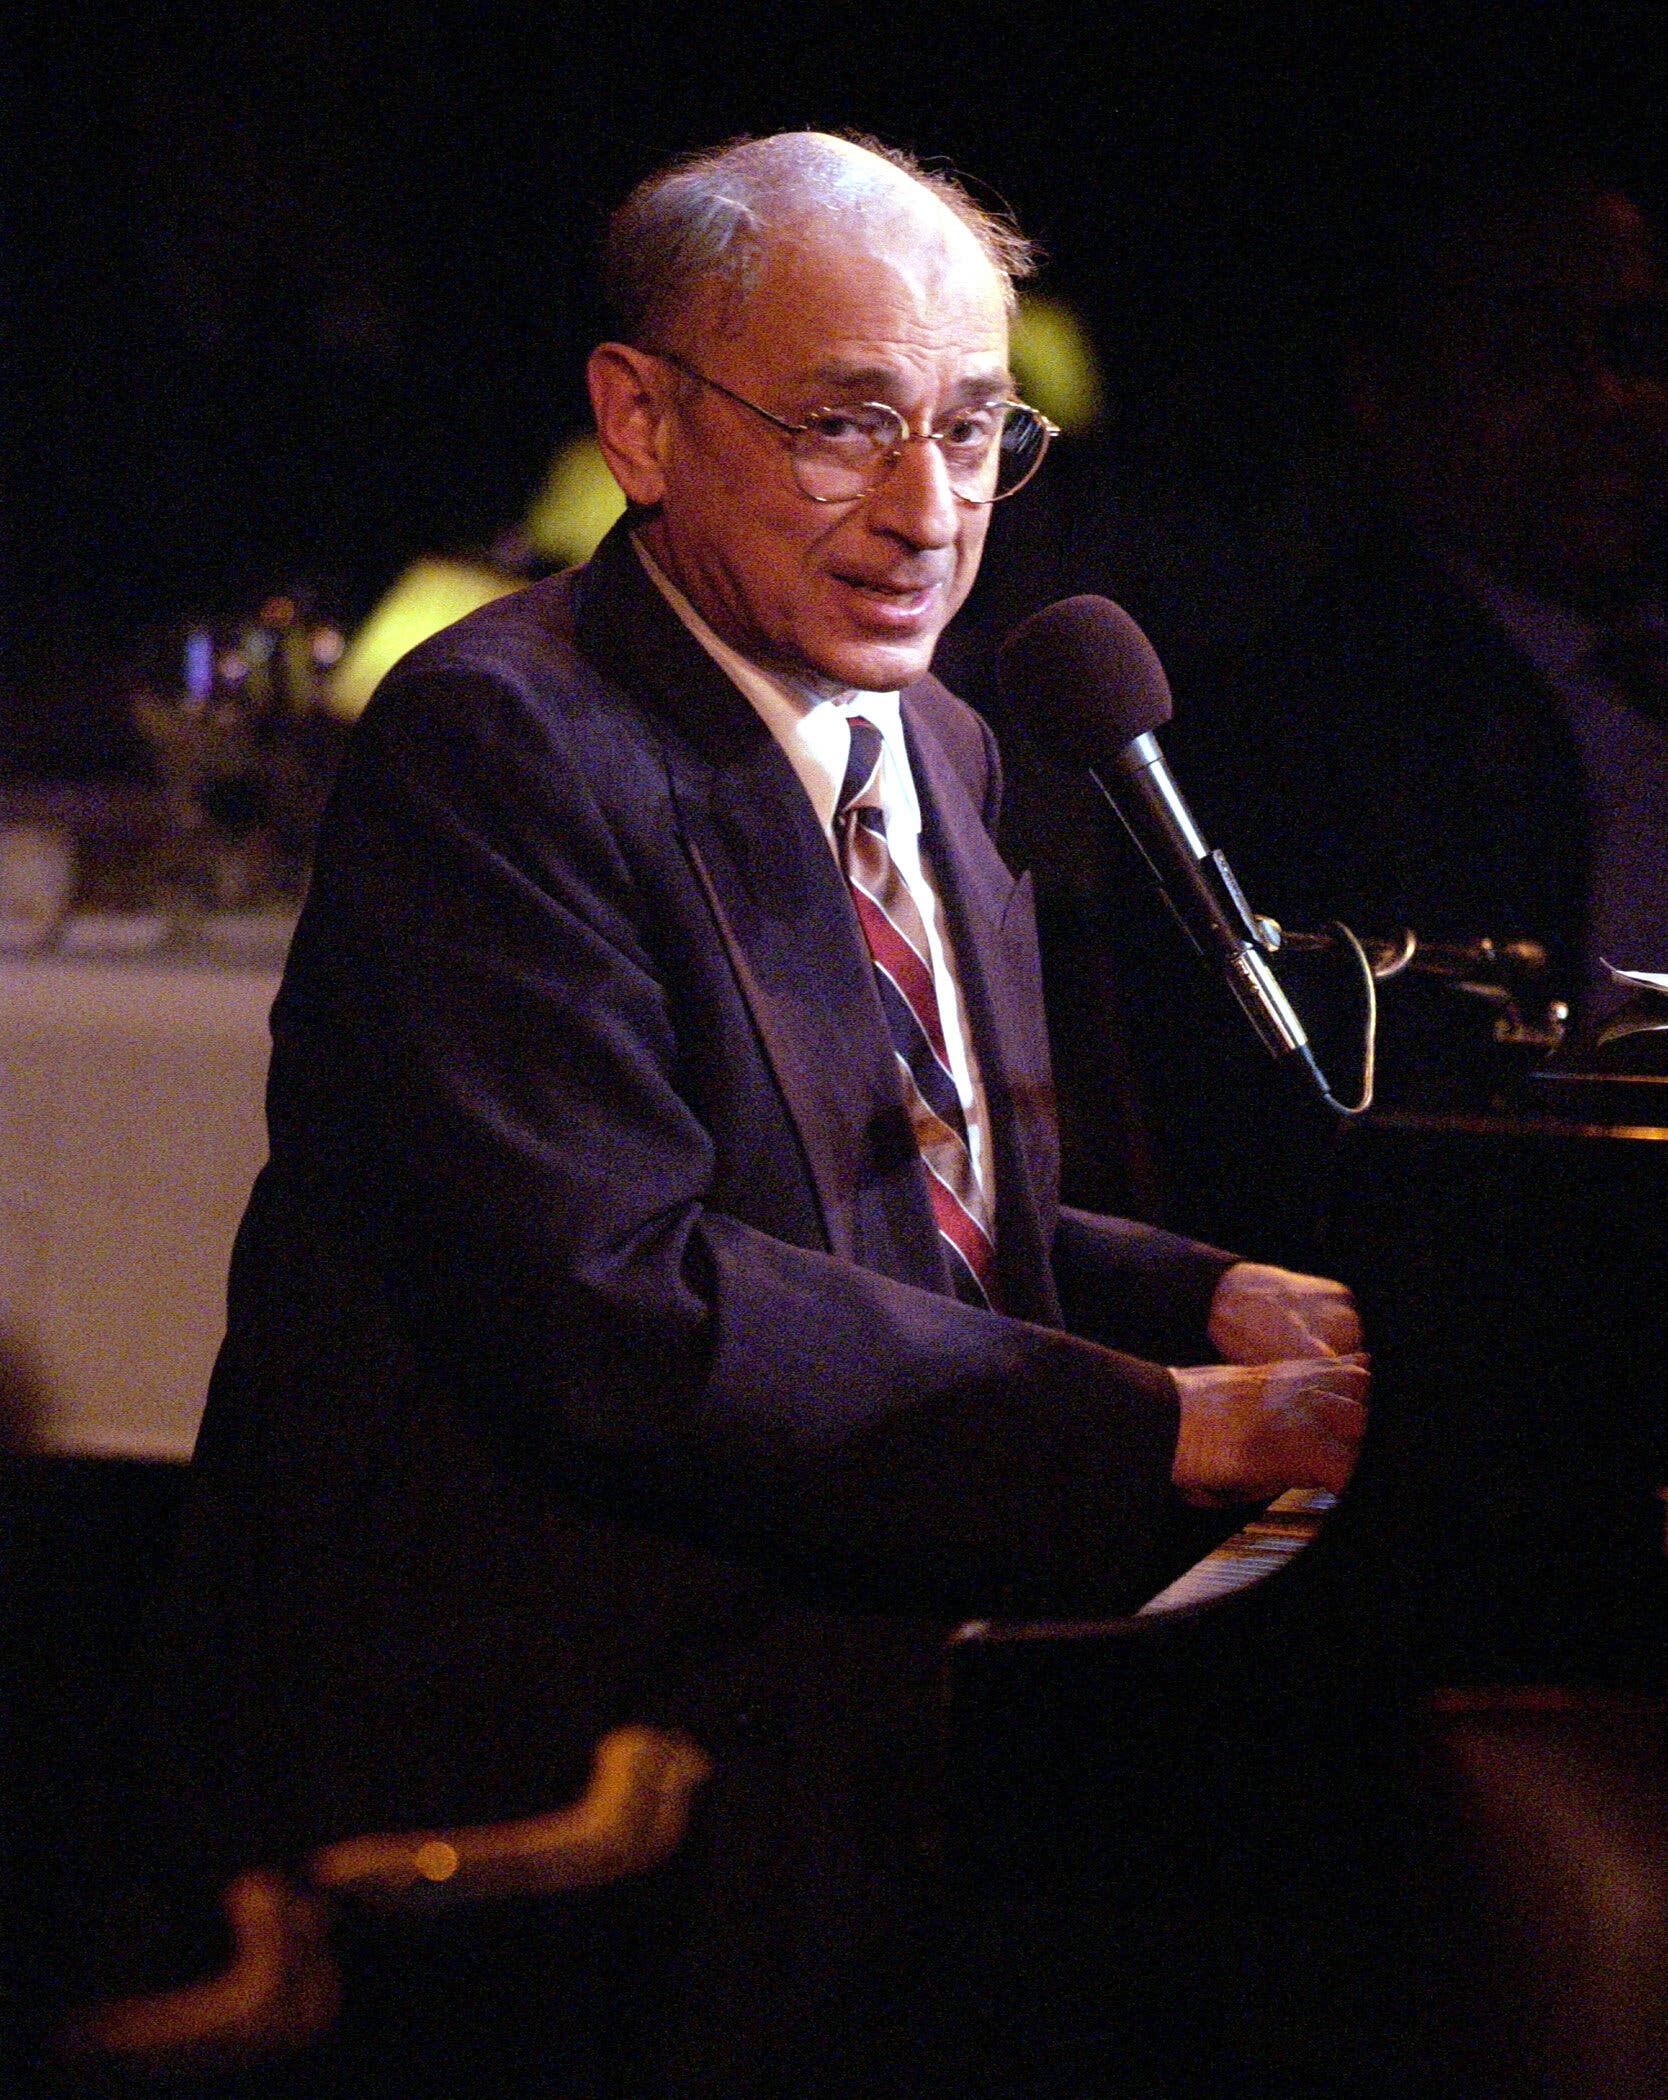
[816, 738]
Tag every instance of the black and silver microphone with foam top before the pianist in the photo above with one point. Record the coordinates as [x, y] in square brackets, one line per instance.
[1089, 679]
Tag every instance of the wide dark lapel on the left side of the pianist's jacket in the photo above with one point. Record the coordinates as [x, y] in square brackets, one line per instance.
[785, 919]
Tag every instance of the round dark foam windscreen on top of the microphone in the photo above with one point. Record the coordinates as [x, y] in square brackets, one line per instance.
[1085, 679]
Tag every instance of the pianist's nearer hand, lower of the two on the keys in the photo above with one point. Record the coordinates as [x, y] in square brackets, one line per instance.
[1253, 1431]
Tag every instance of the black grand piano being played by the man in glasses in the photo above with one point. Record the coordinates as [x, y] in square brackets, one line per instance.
[1234, 1847]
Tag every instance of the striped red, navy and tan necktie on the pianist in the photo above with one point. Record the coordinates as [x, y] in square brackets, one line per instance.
[904, 973]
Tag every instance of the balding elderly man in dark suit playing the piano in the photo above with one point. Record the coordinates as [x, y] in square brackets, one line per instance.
[656, 1305]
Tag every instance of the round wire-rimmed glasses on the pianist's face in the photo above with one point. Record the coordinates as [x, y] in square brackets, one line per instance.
[991, 448]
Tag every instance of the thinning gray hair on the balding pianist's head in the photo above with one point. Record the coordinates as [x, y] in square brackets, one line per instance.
[707, 217]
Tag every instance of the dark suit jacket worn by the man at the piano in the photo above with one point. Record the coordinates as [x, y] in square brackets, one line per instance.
[591, 1351]
